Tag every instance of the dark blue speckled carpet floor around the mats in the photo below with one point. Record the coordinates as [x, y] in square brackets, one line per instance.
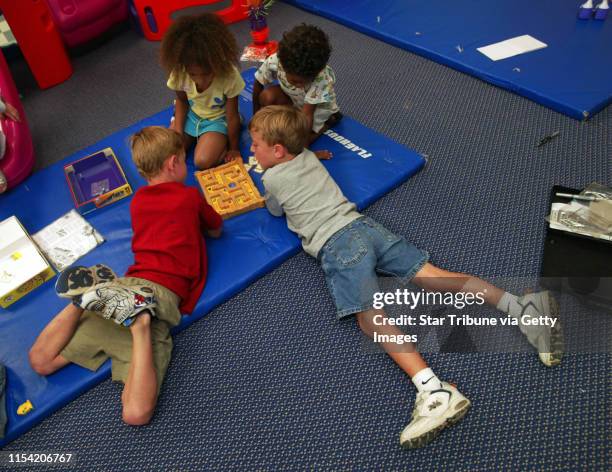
[271, 381]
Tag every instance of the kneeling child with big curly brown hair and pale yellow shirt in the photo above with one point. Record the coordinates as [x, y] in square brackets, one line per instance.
[200, 55]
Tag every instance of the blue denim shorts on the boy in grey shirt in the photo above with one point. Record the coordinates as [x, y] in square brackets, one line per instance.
[354, 255]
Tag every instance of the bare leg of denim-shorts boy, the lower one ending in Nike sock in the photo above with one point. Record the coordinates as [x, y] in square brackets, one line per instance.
[404, 355]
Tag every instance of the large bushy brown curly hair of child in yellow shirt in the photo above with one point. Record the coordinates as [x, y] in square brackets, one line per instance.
[201, 40]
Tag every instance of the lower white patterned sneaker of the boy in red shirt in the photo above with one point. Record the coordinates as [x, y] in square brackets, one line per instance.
[121, 304]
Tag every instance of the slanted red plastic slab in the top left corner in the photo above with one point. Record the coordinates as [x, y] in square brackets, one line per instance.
[39, 40]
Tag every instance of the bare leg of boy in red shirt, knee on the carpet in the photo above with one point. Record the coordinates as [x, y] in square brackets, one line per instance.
[139, 395]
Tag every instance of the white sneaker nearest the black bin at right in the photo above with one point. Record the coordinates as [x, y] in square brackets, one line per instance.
[546, 339]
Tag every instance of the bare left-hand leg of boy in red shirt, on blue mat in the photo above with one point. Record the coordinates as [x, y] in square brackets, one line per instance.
[45, 355]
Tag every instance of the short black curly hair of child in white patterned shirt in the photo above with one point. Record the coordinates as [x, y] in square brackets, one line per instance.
[304, 51]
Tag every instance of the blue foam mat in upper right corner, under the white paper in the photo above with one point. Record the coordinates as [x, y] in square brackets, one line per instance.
[573, 75]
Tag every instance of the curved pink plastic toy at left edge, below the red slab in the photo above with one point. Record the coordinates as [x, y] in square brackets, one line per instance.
[18, 158]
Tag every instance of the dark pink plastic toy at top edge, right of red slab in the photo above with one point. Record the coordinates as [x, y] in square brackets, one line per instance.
[79, 21]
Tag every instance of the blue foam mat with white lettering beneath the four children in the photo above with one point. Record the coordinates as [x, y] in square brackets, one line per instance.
[252, 245]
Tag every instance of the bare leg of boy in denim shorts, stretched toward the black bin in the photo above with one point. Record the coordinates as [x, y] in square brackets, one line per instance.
[432, 278]
